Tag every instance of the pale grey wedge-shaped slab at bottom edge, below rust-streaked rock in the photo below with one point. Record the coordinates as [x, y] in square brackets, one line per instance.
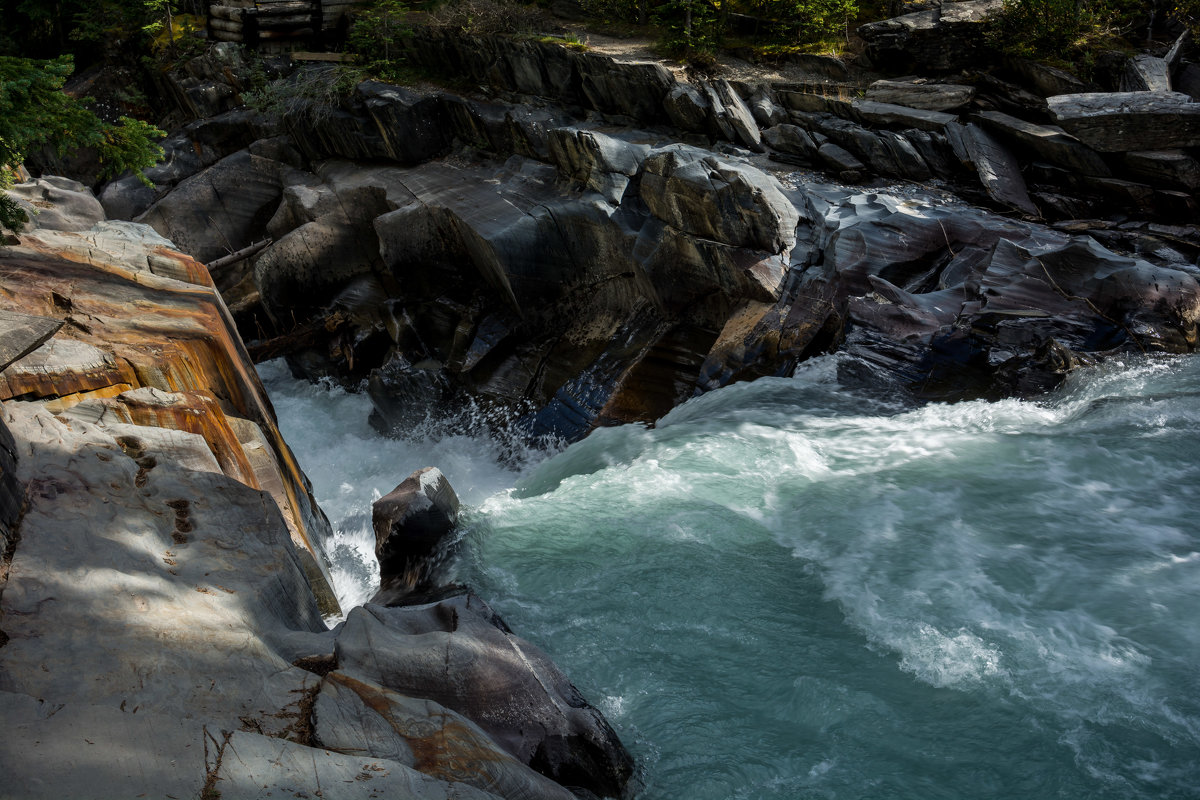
[255, 767]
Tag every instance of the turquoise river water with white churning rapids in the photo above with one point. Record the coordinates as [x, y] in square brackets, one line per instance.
[787, 590]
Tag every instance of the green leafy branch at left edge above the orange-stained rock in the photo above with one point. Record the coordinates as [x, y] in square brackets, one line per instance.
[35, 113]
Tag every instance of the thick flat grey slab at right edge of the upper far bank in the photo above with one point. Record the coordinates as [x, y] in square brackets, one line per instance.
[1133, 121]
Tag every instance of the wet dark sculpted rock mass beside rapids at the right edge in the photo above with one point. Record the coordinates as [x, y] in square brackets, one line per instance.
[956, 305]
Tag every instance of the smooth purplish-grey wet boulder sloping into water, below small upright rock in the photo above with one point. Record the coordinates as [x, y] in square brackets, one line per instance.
[459, 654]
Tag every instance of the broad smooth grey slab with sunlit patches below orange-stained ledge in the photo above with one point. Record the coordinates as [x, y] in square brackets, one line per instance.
[173, 587]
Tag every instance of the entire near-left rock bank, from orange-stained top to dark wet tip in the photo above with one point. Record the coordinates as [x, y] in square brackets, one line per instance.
[163, 580]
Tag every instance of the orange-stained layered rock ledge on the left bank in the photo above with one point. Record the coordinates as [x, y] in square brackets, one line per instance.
[137, 315]
